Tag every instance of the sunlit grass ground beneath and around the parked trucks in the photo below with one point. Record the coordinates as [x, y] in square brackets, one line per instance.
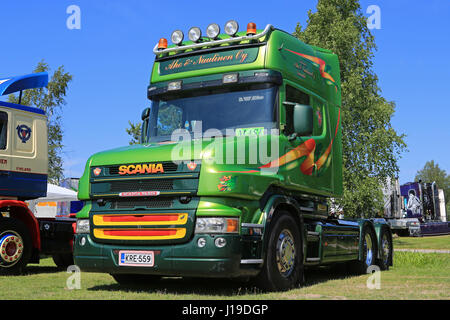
[414, 276]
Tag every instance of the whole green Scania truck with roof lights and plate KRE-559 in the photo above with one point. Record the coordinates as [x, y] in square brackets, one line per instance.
[239, 154]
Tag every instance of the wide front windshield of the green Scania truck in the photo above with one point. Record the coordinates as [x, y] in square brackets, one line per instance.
[230, 111]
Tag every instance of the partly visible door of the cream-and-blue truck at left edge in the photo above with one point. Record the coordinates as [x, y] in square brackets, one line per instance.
[5, 152]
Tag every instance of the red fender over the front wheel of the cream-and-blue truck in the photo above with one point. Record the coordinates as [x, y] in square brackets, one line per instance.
[20, 211]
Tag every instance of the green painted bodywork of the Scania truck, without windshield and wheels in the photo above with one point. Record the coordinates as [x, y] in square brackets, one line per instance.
[308, 170]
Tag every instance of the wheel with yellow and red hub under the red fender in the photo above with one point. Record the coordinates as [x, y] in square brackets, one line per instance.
[15, 246]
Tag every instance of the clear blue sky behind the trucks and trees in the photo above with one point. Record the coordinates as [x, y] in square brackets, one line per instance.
[111, 57]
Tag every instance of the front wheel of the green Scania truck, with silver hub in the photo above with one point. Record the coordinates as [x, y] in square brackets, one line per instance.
[283, 264]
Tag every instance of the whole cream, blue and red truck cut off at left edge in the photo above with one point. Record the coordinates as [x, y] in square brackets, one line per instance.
[23, 176]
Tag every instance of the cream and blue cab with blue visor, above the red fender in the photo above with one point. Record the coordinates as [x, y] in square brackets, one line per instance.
[23, 146]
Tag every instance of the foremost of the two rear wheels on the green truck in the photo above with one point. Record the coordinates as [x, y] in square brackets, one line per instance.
[369, 251]
